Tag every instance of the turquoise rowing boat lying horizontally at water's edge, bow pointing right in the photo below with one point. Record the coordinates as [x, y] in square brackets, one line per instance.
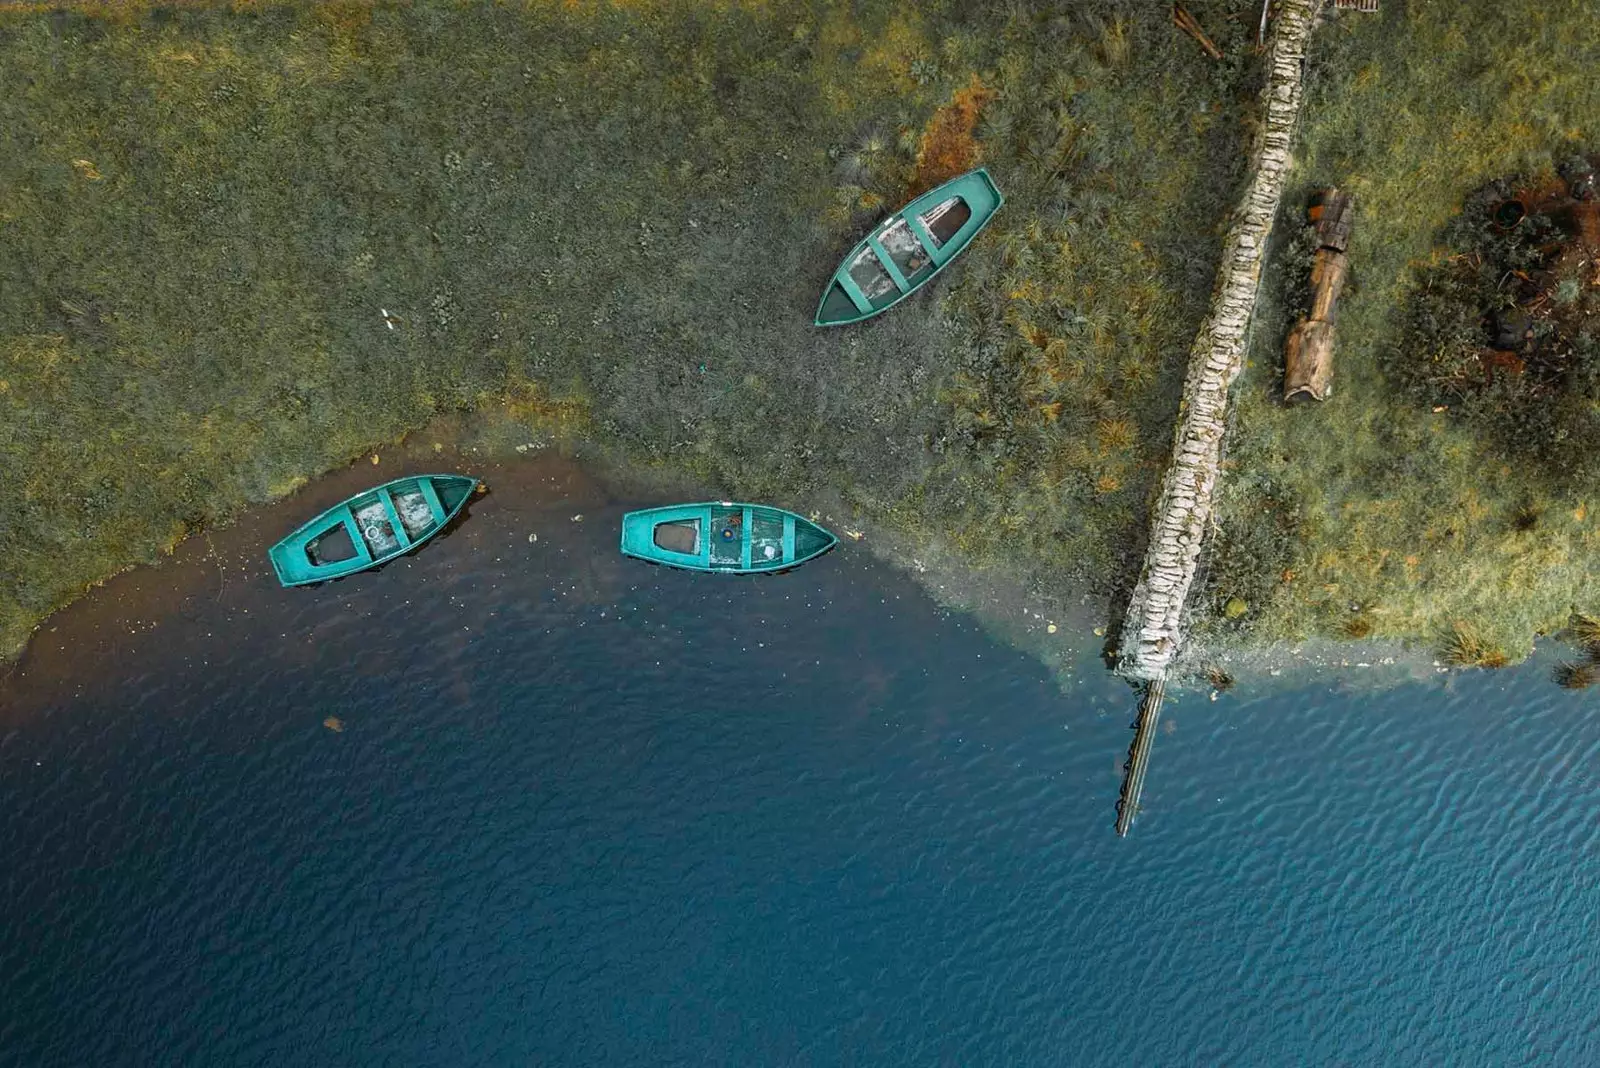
[724, 536]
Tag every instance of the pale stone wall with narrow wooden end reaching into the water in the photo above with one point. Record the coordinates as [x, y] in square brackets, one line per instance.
[1153, 629]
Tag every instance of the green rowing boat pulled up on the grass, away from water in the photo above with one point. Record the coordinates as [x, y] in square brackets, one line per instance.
[910, 249]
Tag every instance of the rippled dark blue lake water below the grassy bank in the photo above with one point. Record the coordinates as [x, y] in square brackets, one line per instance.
[590, 813]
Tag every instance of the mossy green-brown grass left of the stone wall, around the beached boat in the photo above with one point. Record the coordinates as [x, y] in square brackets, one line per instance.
[239, 245]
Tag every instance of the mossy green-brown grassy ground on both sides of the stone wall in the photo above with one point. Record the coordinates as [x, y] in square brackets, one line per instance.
[242, 244]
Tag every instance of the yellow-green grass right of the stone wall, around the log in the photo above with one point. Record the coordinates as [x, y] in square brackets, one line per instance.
[1375, 514]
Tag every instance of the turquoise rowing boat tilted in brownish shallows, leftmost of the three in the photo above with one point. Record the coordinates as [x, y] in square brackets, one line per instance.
[370, 528]
